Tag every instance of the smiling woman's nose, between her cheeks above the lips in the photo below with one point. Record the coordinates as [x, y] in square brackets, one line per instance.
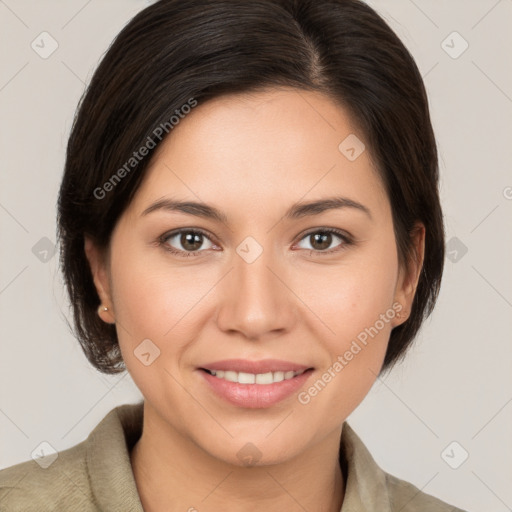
[256, 300]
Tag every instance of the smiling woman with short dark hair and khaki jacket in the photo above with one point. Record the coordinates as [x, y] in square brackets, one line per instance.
[250, 225]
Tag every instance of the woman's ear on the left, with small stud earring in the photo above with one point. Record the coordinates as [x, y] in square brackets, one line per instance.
[97, 258]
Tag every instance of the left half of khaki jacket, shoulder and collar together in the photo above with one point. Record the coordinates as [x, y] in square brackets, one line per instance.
[93, 475]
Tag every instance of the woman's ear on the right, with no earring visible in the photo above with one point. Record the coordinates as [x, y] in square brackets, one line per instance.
[409, 274]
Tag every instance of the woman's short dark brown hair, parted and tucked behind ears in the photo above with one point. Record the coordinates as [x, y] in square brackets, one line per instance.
[174, 51]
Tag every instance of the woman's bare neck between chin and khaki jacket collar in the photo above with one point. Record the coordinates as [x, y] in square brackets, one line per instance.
[167, 480]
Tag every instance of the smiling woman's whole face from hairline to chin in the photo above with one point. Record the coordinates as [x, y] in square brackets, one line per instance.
[266, 281]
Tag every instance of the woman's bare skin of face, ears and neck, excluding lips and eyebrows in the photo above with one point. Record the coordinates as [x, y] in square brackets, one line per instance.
[252, 157]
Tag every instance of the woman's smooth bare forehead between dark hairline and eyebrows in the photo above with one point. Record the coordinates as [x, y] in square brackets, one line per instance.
[257, 151]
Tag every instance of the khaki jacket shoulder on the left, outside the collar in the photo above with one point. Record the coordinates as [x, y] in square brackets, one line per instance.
[48, 484]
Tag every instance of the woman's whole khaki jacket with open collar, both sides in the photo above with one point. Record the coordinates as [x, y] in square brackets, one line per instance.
[96, 475]
